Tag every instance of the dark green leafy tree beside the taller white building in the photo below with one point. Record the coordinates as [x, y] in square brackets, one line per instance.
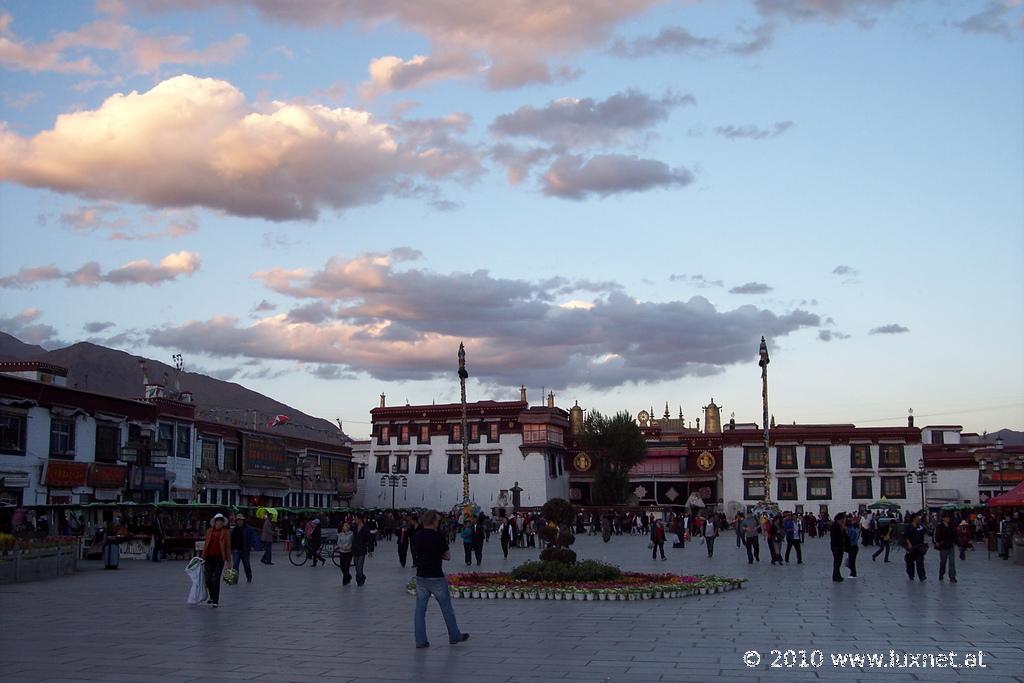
[616, 446]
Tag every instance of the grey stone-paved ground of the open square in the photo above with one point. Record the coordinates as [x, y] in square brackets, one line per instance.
[297, 624]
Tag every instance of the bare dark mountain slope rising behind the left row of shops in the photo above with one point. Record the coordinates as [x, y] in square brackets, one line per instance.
[102, 370]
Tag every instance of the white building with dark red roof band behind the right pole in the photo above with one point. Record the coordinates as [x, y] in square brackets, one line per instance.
[824, 468]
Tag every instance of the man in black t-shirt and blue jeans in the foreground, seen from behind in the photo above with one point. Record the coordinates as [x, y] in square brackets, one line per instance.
[431, 550]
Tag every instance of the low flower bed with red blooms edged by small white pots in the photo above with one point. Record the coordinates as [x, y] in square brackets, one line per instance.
[631, 586]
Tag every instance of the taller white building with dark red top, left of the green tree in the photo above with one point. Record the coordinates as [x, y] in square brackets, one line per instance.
[511, 446]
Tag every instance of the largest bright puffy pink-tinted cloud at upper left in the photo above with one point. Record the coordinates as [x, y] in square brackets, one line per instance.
[287, 162]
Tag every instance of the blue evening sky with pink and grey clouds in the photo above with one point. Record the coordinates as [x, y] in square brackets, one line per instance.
[613, 201]
